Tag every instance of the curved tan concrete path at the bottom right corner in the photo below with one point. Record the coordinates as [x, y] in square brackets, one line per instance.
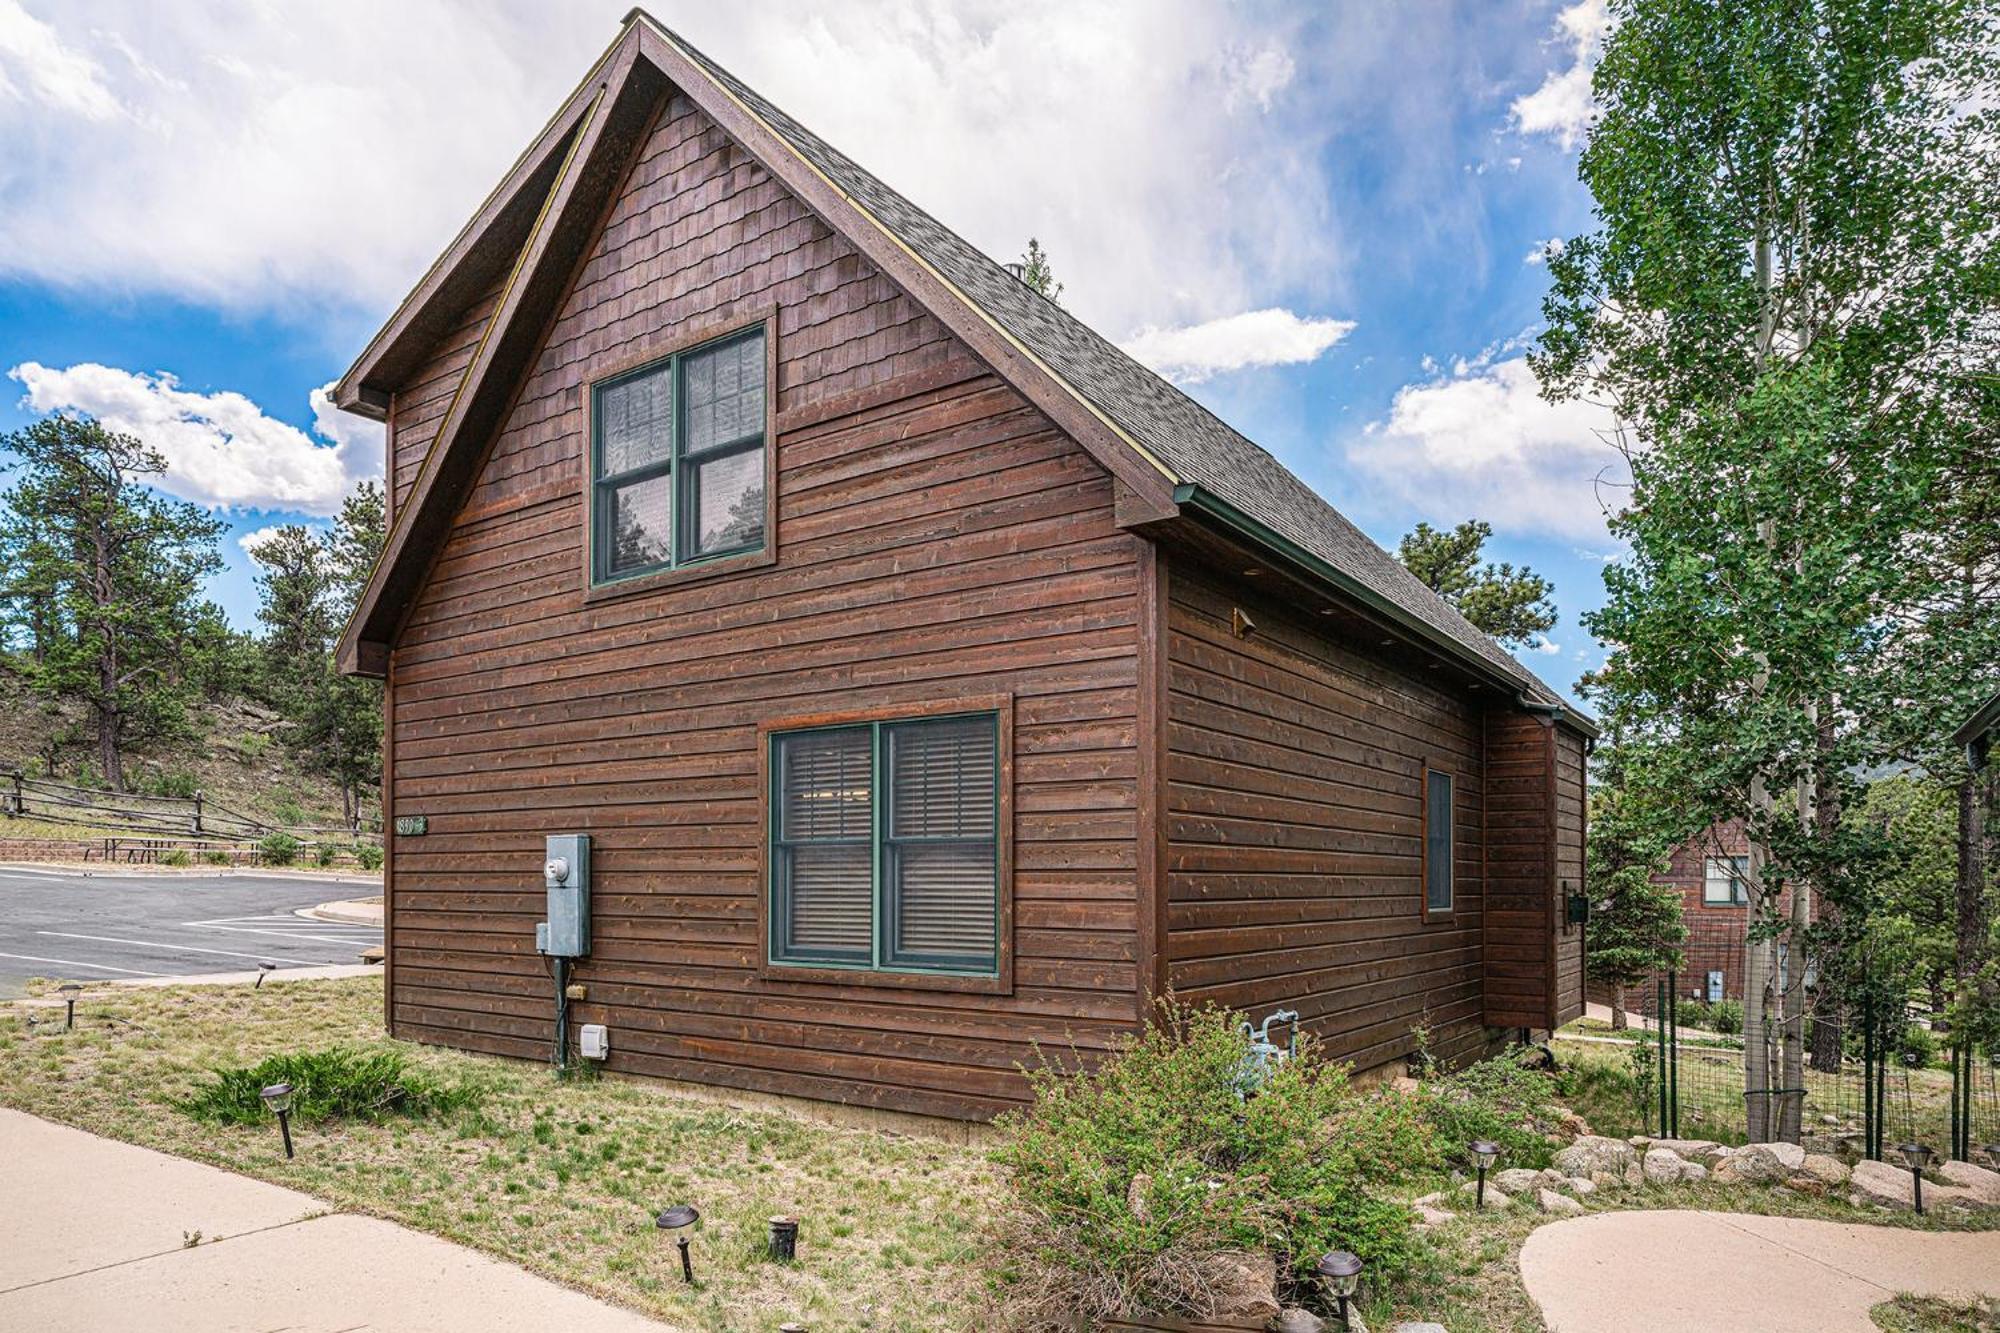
[1743, 1274]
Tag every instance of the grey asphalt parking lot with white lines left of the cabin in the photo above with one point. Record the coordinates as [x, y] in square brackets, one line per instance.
[115, 926]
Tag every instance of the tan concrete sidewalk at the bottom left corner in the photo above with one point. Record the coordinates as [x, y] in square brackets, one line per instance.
[101, 1236]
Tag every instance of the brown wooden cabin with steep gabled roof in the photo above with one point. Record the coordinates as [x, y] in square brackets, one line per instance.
[929, 678]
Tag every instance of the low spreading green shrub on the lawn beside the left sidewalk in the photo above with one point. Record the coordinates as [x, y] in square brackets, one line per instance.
[327, 1086]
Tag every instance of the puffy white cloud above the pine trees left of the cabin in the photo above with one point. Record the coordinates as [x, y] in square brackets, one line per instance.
[221, 449]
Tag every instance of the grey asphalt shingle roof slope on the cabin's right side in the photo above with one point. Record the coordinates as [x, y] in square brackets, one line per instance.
[1199, 447]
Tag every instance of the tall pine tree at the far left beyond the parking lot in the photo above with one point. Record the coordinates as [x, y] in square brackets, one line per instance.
[103, 581]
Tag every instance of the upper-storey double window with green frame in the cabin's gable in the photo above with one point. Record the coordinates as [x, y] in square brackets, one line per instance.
[679, 459]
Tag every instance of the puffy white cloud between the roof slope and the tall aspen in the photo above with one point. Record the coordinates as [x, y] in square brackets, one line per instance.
[1485, 443]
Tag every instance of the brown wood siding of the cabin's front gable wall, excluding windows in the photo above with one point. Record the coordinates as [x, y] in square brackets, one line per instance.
[937, 537]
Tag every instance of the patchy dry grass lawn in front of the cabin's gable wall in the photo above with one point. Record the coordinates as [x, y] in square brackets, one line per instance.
[561, 1178]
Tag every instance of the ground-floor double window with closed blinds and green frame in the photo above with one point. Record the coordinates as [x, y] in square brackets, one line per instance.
[885, 846]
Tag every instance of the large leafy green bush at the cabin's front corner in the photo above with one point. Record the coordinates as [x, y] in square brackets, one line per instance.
[1133, 1182]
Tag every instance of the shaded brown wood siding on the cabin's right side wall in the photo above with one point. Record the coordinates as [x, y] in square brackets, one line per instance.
[1295, 822]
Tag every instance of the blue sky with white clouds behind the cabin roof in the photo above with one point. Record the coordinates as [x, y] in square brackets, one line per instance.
[1319, 221]
